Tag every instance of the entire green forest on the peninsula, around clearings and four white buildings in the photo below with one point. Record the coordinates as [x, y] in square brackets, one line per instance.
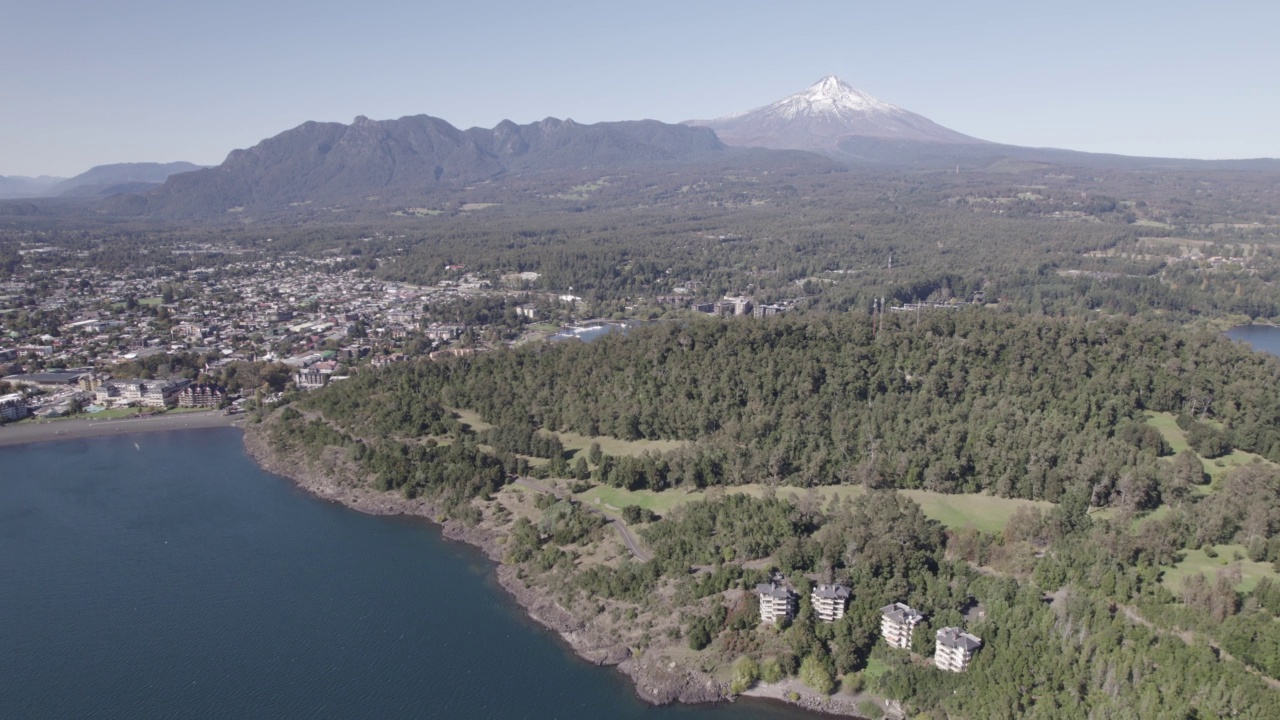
[1069, 601]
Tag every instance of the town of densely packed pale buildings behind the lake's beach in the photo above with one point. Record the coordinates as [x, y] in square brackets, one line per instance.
[80, 339]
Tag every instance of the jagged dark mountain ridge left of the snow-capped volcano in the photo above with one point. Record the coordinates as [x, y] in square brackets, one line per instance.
[410, 158]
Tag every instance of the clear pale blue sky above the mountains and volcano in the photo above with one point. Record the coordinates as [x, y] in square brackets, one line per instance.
[85, 84]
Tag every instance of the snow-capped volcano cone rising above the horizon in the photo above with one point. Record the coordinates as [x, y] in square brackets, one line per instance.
[821, 116]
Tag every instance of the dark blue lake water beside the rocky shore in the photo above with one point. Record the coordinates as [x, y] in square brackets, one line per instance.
[173, 578]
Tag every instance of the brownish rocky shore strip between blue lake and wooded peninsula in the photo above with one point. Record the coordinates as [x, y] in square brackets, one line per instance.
[656, 683]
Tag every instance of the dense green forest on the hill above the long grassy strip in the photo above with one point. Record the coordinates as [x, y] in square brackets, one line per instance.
[961, 402]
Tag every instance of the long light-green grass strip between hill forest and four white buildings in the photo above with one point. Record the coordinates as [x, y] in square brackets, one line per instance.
[957, 512]
